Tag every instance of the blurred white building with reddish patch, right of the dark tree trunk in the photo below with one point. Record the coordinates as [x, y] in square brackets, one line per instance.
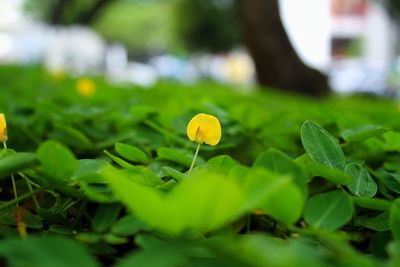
[354, 41]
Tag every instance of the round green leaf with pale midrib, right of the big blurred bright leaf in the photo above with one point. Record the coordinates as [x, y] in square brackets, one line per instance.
[329, 210]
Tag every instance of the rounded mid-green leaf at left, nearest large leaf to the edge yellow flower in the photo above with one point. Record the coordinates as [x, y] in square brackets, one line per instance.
[58, 162]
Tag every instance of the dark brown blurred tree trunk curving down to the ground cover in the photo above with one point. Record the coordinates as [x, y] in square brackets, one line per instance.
[276, 61]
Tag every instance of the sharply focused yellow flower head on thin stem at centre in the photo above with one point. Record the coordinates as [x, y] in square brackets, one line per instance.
[204, 128]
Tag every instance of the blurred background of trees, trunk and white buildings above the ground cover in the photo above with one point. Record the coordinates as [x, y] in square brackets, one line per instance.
[304, 46]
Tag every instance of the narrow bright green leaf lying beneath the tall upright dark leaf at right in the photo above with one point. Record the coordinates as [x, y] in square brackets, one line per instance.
[335, 176]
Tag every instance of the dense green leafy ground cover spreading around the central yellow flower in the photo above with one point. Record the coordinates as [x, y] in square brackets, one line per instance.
[101, 177]
